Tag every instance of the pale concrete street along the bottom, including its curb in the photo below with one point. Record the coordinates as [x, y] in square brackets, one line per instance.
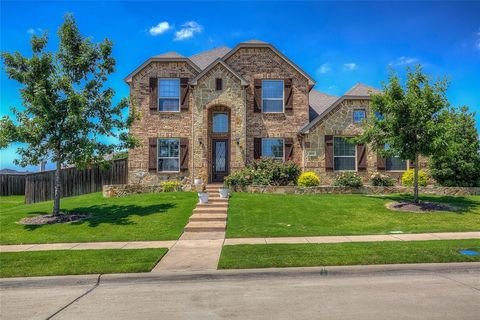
[368, 292]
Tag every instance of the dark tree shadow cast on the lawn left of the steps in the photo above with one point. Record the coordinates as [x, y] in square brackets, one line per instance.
[111, 214]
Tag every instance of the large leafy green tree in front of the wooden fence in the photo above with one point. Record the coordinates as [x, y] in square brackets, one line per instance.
[67, 108]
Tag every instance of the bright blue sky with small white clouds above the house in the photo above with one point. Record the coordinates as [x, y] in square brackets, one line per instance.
[338, 43]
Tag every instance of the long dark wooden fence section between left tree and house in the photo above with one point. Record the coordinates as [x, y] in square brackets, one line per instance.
[40, 186]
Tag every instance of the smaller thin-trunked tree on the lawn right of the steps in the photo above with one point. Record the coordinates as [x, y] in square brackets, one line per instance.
[407, 118]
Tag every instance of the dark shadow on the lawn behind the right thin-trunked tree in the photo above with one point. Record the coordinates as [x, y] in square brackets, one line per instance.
[464, 204]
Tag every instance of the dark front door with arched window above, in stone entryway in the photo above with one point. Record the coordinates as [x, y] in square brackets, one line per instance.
[219, 141]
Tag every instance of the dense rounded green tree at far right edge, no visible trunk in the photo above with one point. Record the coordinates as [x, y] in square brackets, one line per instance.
[457, 164]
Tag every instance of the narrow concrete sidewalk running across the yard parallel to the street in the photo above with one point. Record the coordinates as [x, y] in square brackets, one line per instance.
[234, 241]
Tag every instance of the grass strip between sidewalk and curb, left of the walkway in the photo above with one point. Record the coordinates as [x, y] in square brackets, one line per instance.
[63, 262]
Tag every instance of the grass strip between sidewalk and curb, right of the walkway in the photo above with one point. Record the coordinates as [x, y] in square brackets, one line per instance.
[360, 253]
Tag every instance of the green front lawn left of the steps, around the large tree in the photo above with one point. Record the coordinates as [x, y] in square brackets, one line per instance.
[155, 216]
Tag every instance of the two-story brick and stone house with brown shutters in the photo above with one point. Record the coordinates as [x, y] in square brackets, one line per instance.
[209, 114]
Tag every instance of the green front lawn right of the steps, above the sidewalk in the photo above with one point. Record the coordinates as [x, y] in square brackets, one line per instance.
[280, 215]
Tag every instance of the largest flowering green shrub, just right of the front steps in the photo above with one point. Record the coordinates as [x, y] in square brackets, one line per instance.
[265, 172]
